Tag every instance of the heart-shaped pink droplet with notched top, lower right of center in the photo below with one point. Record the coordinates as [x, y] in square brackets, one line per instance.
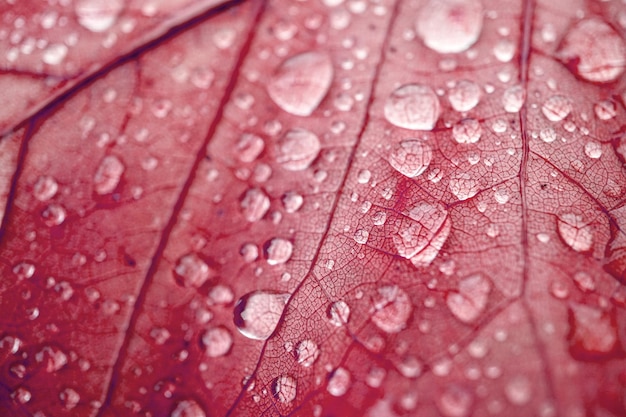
[471, 299]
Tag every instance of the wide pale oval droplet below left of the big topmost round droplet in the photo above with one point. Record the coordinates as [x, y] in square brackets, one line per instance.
[413, 106]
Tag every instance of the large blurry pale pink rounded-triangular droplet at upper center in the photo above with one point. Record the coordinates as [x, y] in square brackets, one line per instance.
[301, 82]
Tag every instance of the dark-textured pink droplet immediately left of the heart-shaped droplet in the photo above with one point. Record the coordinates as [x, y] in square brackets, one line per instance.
[392, 308]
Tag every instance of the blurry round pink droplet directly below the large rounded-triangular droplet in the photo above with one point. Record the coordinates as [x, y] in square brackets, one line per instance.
[297, 149]
